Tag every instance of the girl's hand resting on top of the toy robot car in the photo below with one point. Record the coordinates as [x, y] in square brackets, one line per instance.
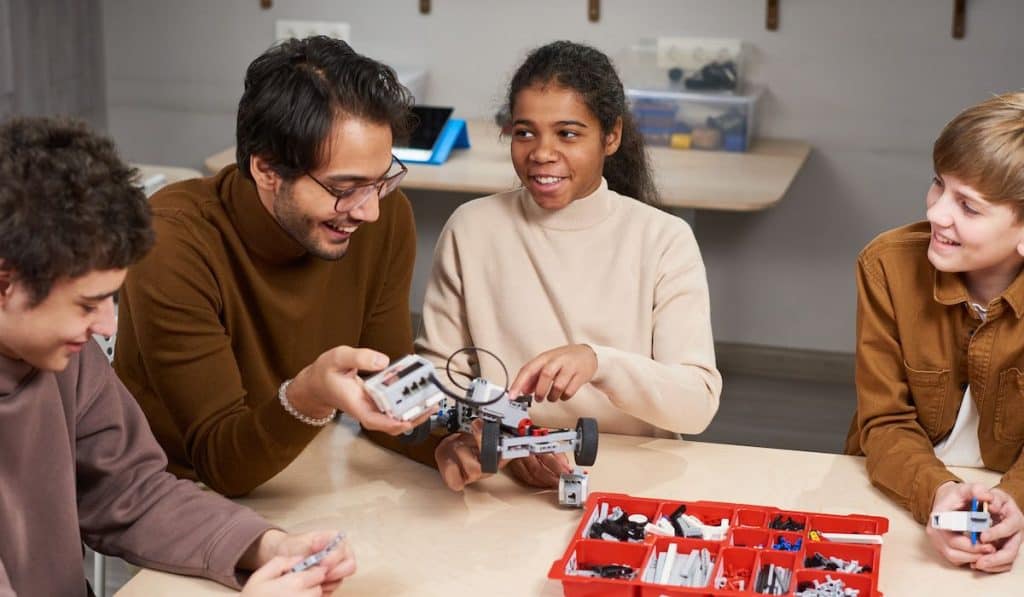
[557, 374]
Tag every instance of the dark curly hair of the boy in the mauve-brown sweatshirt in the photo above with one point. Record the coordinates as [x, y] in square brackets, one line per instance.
[68, 204]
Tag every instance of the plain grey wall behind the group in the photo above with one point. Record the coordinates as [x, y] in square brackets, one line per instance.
[869, 83]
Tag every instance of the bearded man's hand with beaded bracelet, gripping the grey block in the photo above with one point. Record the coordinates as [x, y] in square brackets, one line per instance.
[331, 382]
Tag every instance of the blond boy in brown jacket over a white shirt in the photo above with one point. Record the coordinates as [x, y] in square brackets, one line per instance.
[941, 338]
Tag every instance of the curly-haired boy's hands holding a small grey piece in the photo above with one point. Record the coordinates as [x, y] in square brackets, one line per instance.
[278, 552]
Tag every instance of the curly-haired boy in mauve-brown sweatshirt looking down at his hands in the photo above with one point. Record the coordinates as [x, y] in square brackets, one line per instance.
[79, 461]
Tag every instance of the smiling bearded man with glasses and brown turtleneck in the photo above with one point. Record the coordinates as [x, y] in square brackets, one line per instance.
[275, 282]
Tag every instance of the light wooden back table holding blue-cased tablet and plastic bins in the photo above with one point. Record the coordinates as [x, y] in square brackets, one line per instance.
[696, 180]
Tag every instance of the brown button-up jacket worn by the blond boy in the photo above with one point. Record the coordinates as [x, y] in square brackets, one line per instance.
[920, 344]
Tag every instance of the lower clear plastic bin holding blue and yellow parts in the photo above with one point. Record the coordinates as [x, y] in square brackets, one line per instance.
[688, 120]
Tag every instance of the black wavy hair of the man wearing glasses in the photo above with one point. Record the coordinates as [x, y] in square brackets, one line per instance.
[294, 93]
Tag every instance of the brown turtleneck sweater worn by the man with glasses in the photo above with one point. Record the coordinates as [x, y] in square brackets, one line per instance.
[228, 306]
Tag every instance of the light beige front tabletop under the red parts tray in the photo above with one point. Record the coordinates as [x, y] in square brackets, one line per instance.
[414, 537]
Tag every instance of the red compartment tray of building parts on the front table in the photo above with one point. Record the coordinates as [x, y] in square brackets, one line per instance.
[747, 546]
